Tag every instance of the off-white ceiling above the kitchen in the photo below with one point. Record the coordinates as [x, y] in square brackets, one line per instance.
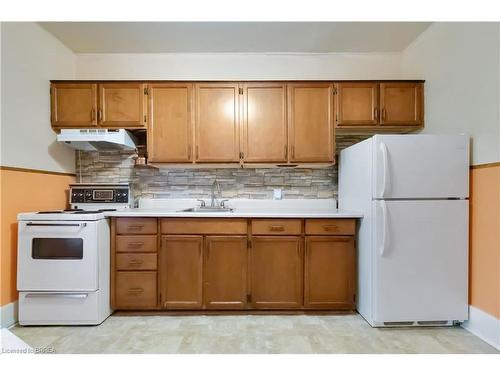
[206, 37]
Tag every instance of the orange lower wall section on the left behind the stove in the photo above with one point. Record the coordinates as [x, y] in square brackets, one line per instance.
[23, 191]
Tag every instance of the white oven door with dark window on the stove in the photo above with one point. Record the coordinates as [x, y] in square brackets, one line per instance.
[57, 256]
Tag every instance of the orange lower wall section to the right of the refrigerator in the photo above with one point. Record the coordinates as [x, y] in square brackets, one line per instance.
[485, 239]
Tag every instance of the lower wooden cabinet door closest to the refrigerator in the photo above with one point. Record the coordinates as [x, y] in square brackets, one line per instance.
[329, 281]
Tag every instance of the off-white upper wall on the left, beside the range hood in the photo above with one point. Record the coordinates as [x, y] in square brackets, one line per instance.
[31, 57]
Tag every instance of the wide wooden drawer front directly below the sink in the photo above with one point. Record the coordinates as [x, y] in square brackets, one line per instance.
[203, 226]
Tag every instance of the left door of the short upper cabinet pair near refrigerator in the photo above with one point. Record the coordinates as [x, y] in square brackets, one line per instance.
[357, 103]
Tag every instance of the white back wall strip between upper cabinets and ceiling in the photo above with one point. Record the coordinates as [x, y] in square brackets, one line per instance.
[239, 66]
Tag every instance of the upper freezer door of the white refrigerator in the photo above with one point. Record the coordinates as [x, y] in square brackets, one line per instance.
[420, 166]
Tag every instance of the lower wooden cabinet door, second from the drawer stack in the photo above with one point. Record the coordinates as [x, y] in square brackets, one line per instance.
[225, 272]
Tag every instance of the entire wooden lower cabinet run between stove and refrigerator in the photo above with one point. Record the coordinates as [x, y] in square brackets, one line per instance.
[233, 264]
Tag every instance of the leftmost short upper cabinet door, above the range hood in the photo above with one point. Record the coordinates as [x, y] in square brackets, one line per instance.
[73, 104]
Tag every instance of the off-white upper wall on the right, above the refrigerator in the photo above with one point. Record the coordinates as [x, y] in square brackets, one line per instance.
[461, 65]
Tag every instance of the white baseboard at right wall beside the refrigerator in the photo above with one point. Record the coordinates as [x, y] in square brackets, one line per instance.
[484, 326]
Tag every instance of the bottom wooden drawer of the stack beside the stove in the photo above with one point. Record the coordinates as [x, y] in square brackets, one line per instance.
[135, 289]
